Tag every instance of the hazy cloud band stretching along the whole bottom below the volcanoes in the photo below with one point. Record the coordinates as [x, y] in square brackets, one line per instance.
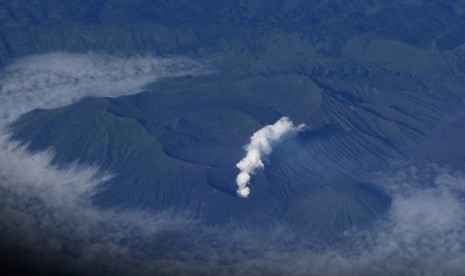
[48, 214]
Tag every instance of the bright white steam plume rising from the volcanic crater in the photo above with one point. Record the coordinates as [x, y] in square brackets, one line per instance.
[261, 144]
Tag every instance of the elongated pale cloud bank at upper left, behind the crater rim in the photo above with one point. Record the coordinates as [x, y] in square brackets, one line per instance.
[58, 79]
